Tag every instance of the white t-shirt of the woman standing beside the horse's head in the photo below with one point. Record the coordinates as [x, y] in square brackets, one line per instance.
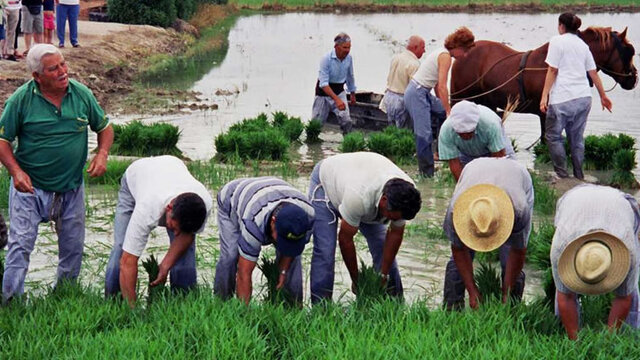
[572, 57]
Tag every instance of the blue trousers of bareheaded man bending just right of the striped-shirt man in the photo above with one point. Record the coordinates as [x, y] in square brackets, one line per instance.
[325, 239]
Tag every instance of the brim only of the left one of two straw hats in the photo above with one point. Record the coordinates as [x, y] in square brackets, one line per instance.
[462, 217]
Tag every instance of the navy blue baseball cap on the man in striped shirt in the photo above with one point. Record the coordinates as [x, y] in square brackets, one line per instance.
[292, 225]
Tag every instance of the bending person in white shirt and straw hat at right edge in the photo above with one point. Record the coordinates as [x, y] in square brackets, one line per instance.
[595, 250]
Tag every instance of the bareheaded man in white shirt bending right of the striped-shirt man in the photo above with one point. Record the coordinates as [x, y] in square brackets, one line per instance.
[366, 191]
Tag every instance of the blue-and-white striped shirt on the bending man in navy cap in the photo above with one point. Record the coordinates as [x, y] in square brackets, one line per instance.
[250, 202]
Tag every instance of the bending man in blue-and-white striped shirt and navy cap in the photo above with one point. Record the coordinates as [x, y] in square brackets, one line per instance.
[256, 212]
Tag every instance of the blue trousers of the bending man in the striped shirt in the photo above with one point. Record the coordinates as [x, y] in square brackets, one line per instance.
[227, 268]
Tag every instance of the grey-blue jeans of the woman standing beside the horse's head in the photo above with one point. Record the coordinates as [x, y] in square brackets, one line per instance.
[570, 116]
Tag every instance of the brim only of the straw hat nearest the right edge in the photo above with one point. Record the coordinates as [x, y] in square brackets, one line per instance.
[620, 264]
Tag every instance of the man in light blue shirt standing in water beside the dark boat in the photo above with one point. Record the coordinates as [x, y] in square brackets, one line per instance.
[336, 70]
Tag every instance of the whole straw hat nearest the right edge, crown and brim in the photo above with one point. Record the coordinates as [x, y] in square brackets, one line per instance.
[594, 263]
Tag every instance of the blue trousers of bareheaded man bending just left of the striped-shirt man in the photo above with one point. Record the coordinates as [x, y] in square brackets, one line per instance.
[183, 274]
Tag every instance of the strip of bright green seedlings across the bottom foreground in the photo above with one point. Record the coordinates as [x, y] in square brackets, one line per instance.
[74, 323]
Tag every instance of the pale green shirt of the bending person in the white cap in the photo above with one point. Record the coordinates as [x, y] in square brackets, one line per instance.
[486, 139]
